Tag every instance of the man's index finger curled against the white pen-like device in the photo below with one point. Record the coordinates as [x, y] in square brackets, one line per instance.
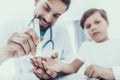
[33, 35]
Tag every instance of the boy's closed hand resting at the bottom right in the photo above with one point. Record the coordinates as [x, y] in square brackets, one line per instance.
[94, 71]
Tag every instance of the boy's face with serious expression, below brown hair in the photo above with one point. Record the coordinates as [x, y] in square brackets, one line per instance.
[96, 27]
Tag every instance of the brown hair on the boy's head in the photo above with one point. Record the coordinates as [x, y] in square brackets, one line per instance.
[90, 12]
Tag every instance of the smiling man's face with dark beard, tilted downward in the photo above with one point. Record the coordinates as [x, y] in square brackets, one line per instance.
[48, 11]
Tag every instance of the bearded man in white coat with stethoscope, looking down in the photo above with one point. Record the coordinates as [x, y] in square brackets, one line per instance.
[54, 39]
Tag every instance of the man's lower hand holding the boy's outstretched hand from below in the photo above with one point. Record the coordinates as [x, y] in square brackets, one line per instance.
[40, 70]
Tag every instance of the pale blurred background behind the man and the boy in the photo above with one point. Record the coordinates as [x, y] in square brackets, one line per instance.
[14, 10]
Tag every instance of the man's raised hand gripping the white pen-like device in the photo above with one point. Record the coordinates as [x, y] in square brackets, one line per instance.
[23, 43]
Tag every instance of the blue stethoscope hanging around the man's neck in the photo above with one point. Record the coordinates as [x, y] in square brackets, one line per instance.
[47, 42]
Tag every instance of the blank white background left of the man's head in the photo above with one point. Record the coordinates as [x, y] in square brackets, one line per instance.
[11, 10]
